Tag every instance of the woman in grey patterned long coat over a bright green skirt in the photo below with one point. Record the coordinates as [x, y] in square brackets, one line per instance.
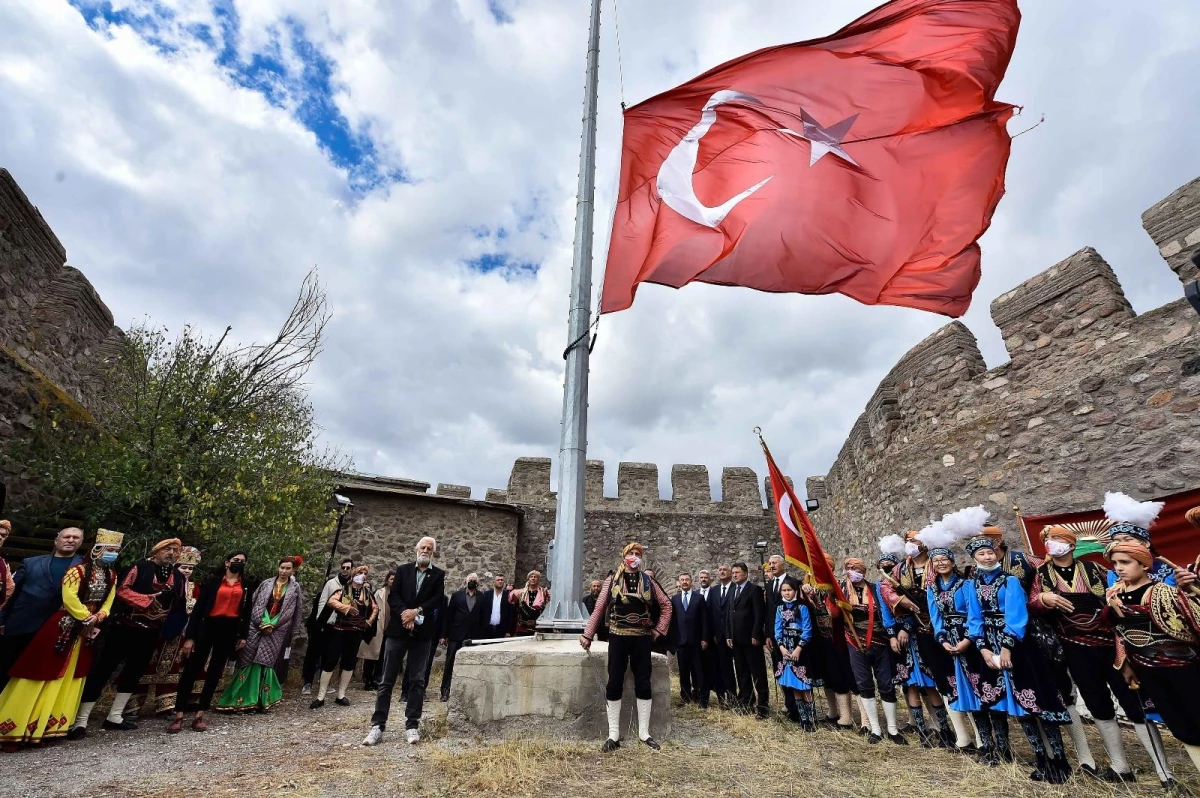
[274, 616]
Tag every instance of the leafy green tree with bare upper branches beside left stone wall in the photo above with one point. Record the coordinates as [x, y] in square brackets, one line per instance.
[199, 440]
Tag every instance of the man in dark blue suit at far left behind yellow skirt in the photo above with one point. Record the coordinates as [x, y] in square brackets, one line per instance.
[38, 595]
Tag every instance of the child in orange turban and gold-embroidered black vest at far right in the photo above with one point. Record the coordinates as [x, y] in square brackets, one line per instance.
[1159, 640]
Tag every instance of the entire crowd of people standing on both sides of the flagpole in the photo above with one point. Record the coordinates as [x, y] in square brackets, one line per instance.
[968, 633]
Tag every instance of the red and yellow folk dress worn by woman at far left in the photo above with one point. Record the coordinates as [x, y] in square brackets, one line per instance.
[43, 698]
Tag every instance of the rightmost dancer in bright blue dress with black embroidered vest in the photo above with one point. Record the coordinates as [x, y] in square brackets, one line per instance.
[1018, 681]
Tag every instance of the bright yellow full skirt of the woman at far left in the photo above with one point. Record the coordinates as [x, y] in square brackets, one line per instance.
[33, 711]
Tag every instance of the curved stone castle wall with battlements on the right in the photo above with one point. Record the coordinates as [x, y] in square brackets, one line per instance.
[1094, 399]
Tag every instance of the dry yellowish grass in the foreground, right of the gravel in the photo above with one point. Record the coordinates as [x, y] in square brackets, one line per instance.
[719, 753]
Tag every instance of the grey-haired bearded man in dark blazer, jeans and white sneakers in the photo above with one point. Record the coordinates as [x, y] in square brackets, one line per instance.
[419, 591]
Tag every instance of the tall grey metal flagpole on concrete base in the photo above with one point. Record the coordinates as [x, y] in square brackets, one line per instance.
[566, 613]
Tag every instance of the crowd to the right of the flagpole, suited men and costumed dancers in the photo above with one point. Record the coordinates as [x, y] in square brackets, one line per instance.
[969, 641]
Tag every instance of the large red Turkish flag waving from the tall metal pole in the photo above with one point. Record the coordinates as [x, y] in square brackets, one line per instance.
[867, 164]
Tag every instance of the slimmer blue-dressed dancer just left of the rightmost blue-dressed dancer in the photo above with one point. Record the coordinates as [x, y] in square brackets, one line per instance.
[950, 598]
